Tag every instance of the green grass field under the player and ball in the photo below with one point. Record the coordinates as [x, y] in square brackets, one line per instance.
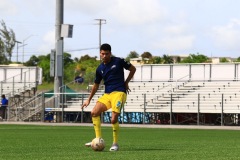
[67, 142]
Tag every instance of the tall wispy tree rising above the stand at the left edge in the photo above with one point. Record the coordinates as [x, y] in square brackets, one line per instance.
[7, 36]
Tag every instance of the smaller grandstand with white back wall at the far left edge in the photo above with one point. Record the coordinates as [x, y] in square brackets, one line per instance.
[18, 84]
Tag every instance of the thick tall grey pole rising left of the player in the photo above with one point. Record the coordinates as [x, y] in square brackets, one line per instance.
[58, 78]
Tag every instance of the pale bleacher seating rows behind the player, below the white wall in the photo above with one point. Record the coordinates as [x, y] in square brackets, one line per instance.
[170, 98]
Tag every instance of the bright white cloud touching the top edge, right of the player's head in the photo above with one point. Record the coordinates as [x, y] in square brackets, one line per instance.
[135, 12]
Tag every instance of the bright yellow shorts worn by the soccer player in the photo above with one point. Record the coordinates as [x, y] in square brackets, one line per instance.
[114, 100]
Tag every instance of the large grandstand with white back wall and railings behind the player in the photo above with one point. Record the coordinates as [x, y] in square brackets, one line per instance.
[201, 94]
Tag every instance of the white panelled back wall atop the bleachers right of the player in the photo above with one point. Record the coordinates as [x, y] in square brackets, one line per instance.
[183, 72]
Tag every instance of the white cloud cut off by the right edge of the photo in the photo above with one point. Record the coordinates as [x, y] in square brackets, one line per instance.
[227, 37]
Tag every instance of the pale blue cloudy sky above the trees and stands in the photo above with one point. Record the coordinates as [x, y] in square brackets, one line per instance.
[172, 27]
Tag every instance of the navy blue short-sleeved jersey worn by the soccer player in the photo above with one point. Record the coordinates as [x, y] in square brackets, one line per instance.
[112, 74]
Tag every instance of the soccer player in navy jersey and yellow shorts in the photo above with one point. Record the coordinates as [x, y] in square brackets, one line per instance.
[111, 71]
